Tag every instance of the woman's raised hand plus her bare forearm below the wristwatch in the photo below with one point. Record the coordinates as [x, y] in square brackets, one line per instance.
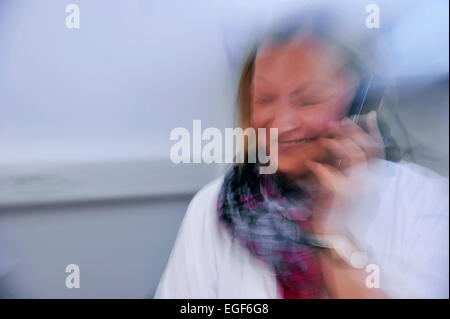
[352, 149]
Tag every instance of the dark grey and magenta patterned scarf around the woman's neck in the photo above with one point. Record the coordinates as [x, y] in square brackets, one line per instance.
[269, 216]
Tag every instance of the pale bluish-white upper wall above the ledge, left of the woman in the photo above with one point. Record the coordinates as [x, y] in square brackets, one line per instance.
[113, 89]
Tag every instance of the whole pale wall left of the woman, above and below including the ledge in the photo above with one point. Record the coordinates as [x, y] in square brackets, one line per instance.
[85, 120]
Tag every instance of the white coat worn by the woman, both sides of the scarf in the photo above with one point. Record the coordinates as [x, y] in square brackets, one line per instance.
[403, 224]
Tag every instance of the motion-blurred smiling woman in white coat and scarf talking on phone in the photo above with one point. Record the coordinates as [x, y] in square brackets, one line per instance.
[340, 218]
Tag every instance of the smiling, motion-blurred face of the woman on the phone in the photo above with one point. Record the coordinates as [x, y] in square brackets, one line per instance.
[300, 88]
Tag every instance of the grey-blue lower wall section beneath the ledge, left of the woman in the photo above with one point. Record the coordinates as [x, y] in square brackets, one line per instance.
[121, 247]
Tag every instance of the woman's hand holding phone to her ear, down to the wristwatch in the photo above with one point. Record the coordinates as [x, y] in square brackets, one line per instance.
[351, 149]
